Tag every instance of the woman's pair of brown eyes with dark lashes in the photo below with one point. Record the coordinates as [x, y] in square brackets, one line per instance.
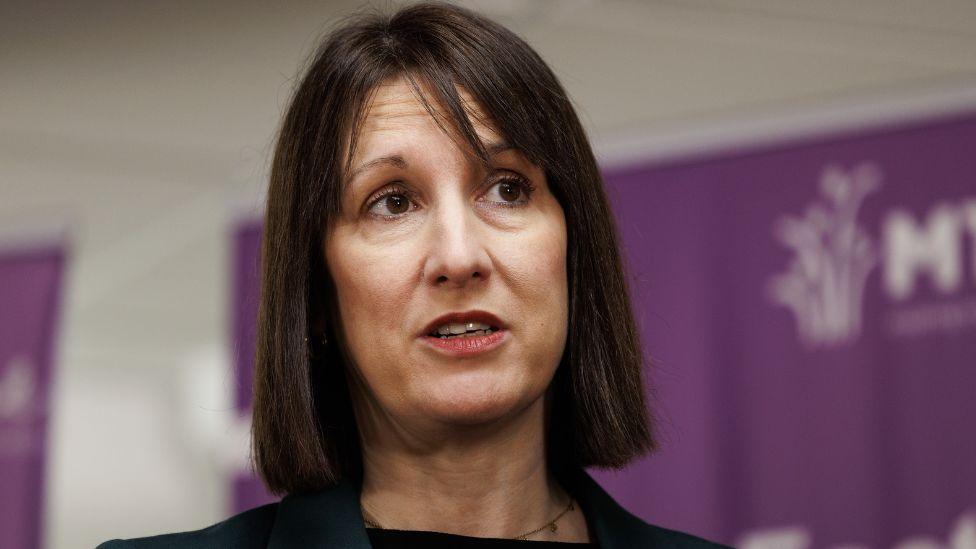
[396, 200]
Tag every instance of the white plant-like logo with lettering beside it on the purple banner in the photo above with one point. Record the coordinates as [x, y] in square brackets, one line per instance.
[833, 256]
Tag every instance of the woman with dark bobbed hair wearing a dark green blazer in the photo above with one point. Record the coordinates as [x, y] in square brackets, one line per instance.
[445, 338]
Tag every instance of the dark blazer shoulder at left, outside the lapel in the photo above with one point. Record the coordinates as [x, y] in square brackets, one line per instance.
[245, 530]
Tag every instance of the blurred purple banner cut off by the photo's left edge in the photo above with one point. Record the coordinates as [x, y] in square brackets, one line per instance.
[30, 286]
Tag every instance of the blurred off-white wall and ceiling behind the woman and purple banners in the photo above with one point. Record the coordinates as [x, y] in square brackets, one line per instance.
[146, 128]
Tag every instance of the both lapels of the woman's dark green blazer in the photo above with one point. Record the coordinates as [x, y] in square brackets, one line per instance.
[332, 518]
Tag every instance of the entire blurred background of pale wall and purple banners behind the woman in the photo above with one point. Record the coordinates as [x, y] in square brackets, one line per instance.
[134, 145]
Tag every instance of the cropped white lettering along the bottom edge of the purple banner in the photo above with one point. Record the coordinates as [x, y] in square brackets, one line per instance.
[961, 536]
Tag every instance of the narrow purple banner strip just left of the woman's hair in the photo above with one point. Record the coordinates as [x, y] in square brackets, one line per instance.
[247, 489]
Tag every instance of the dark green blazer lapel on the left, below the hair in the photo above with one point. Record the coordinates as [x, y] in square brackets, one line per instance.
[324, 520]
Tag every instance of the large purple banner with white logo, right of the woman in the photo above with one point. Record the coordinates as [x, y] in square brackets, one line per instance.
[810, 314]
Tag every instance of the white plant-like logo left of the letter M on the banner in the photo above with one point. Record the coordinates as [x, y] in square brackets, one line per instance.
[832, 258]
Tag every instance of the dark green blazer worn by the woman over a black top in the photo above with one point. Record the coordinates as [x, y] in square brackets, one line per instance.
[332, 519]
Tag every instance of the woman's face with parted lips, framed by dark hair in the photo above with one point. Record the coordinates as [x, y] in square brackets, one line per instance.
[429, 242]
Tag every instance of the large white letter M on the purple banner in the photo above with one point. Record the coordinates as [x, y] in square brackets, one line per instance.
[911, 249]
